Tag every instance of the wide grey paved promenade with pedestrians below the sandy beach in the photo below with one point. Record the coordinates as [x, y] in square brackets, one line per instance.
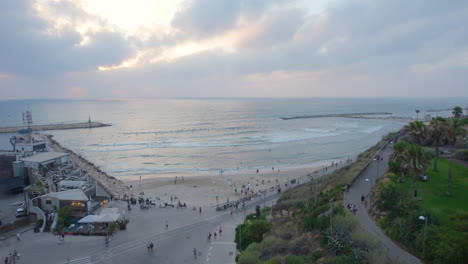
[187, 230]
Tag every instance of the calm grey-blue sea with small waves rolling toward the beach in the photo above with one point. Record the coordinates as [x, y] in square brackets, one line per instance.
[169, 137]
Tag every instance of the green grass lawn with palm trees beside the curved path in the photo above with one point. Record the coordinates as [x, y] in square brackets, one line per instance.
[433, 191]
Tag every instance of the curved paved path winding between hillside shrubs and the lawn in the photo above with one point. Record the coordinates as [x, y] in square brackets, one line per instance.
[362, 186]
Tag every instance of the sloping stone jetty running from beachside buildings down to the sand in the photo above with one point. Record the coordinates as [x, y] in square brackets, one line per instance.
[114, 187]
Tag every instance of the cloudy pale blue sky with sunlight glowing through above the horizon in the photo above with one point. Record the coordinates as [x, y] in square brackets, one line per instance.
[232, 48]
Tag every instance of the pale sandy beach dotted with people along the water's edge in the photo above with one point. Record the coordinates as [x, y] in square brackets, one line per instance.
[202, 190]
